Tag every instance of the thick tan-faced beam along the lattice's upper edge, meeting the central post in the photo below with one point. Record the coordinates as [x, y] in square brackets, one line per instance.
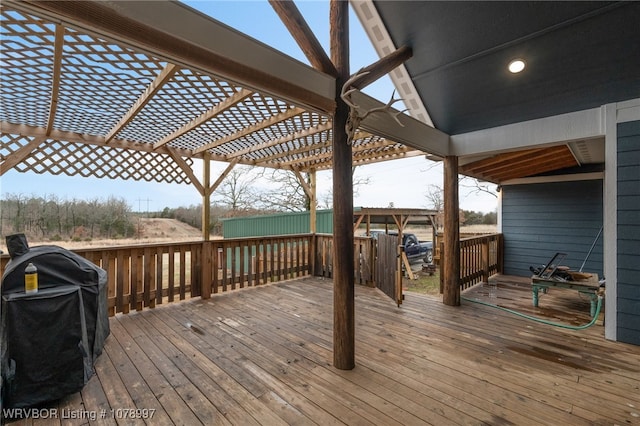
[204, 44]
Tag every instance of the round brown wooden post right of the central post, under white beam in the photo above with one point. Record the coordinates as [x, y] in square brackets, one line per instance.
[451, 266]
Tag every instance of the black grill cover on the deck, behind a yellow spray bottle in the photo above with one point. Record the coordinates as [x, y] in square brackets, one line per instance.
[49, 340]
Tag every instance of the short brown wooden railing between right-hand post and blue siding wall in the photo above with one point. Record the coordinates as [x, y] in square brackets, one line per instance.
[480, 257]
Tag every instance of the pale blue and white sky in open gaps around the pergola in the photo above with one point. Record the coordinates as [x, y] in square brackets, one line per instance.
[403, 183]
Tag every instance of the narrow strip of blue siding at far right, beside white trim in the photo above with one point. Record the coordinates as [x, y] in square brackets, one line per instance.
[628, 244]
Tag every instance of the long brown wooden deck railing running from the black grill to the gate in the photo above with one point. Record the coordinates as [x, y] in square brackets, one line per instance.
[144, 276]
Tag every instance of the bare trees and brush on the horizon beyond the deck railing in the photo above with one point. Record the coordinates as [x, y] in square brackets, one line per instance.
[54, 219]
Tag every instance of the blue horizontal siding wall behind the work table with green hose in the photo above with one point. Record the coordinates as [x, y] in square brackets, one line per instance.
[539, 220]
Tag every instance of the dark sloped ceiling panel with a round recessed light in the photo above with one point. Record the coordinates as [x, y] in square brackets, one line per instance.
[579, 55]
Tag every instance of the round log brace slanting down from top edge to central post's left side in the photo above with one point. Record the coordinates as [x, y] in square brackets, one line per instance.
[302, 34]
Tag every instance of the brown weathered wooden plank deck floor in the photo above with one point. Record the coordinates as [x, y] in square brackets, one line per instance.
[263, 356]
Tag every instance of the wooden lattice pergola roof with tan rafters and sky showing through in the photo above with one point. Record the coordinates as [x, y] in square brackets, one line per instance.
[79, 104]
